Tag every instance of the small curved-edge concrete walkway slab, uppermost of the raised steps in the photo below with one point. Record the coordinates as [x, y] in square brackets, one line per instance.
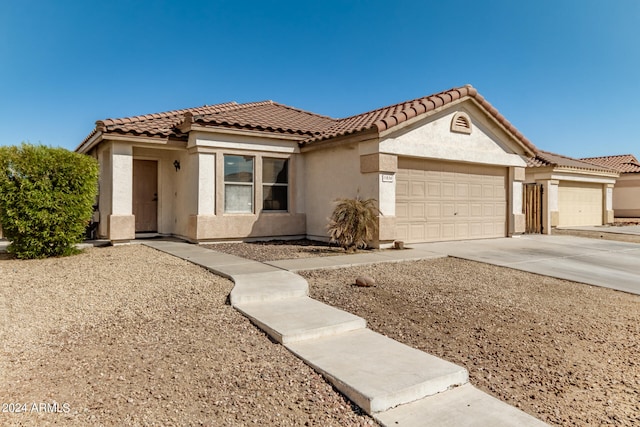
[267, 286]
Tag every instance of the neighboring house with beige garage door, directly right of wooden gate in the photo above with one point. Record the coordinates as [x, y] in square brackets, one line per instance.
[574, 192]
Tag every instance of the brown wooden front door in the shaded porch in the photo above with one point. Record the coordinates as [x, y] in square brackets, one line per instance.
[145, 195]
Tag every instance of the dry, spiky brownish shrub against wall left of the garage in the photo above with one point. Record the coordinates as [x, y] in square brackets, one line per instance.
[353, 223]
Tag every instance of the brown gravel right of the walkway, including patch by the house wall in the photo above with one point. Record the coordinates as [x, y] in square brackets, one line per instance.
[564, 352]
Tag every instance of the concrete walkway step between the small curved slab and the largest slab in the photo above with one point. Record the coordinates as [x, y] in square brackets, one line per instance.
[296, 319]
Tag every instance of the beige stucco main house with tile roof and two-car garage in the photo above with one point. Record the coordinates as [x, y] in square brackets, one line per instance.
[444, 167]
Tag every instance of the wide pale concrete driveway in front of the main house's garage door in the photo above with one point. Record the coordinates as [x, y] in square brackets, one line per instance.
[596, 262]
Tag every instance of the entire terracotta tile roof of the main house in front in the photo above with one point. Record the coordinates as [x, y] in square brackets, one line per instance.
[269, 116]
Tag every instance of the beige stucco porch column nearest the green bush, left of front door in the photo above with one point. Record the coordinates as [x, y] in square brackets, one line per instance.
[122, 226]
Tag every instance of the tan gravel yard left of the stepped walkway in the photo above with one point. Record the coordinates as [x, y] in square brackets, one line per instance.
[130, 336]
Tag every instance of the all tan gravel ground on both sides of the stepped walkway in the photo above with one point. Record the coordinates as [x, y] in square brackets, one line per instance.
[128, 335]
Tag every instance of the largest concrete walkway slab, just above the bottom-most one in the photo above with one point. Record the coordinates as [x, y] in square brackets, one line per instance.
[376, 372]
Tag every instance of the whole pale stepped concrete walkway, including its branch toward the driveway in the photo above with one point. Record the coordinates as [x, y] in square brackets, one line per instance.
[396, 384]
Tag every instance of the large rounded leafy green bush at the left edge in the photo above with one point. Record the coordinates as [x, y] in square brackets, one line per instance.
[46, 199]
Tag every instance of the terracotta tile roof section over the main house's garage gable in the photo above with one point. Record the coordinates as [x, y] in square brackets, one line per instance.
[388, 117]
